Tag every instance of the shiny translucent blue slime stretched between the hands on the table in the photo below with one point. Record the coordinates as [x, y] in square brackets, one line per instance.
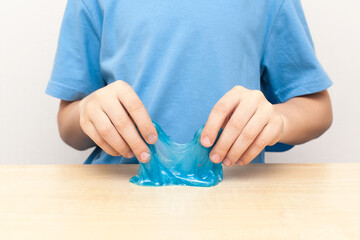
[178, 164]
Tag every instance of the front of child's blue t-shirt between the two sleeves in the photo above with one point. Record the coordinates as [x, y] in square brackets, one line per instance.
[181, 57]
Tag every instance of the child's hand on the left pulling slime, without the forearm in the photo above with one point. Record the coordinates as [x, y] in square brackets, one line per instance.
[108, 116]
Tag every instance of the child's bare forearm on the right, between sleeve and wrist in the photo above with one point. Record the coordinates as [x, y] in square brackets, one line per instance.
[305, 118]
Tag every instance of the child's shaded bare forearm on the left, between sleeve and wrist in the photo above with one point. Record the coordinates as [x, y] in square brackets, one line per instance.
[69, 126]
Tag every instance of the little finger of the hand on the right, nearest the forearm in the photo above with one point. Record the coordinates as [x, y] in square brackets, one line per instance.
[268, 137]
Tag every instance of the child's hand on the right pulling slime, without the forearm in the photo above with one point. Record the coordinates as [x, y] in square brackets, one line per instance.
[250, 123]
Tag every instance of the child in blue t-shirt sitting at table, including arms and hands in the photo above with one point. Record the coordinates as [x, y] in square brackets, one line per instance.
[250, 64]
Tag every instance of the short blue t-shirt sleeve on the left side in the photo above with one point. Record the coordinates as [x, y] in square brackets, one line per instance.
[76, 71]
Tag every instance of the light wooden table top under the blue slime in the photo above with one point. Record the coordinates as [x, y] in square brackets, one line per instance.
[273, 201]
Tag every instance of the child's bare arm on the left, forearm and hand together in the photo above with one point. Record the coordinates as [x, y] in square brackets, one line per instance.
[106, 117]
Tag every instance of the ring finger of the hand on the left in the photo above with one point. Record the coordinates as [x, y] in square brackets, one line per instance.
[108, 133]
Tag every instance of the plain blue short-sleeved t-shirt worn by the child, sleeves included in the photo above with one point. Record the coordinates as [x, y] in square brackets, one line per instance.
[181, 57]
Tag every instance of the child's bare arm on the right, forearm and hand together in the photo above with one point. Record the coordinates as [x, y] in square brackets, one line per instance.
[255, 123]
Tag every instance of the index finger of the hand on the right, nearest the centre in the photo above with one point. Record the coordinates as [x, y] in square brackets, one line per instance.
[220, 112]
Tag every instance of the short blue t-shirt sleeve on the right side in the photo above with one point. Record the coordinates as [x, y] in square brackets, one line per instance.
[290, 67]
